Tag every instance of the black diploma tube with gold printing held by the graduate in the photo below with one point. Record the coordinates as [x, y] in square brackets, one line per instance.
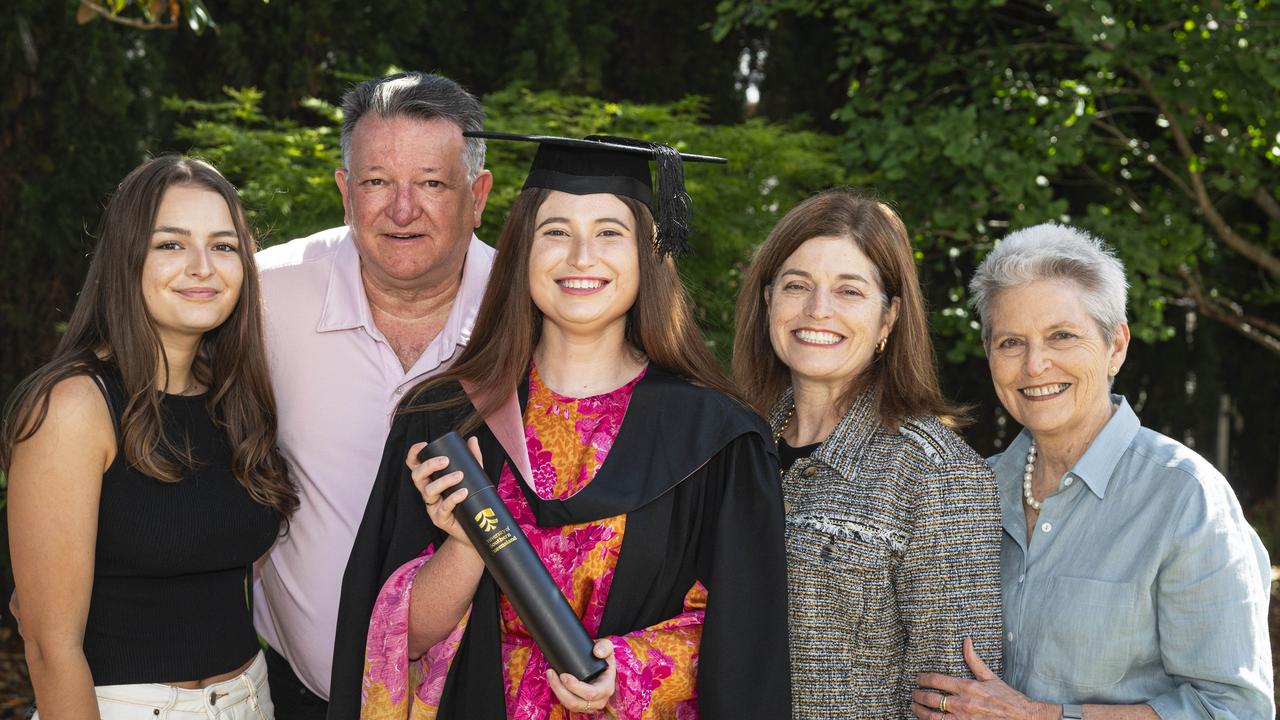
[514, 564]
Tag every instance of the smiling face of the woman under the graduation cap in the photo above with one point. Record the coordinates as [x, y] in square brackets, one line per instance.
[584, 270]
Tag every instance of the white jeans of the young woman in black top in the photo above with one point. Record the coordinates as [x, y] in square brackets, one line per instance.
[244, 698]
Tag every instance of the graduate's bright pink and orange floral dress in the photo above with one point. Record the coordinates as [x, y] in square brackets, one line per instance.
[568, 440]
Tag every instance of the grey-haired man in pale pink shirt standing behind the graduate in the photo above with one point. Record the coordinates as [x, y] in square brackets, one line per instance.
[355, 317]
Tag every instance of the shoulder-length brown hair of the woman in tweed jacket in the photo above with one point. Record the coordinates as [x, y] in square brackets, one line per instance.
[906, 377]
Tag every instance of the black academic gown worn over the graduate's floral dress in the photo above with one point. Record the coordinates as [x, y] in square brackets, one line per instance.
[696, 475]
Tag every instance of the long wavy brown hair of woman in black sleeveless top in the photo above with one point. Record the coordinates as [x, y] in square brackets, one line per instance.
[112, 325]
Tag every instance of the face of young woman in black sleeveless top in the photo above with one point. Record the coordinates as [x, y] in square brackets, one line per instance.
[193, 272]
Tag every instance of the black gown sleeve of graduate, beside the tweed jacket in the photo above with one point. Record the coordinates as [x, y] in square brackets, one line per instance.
[744, 669]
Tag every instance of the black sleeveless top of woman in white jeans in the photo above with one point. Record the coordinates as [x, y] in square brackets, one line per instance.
[172, 560]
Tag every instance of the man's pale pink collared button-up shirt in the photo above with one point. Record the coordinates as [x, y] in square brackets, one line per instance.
[337, 382]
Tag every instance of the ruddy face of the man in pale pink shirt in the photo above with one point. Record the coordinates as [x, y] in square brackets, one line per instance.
[408, 200]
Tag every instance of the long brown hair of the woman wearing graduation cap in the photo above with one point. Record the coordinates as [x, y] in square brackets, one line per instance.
[509, 325]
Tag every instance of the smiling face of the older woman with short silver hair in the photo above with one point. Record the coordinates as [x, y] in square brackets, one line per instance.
[1050, 363]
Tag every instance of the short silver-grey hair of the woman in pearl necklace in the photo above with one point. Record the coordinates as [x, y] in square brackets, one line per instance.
[1054, 253]
